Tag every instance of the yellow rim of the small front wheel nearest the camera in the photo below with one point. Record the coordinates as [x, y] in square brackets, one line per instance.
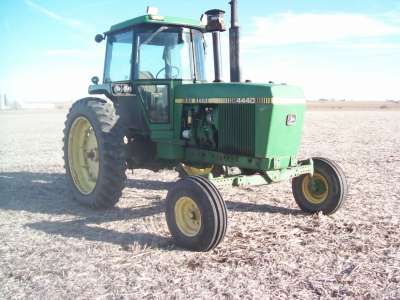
[187, 216]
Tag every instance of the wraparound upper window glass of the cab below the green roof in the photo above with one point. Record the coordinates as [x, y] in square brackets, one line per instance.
[160, 53]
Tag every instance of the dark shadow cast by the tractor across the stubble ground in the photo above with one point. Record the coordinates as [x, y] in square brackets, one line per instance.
[48, 196]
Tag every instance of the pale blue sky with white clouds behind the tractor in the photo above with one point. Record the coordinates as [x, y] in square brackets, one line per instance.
[342, 49]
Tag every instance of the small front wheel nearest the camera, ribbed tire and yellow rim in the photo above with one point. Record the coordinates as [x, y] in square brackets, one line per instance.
[196, 214]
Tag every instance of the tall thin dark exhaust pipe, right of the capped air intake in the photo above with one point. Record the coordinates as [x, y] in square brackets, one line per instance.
[234, 49]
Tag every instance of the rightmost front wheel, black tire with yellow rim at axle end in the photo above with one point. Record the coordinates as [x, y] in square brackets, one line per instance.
[325, 191]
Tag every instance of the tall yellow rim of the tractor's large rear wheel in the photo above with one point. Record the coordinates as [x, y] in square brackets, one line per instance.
[83, 155]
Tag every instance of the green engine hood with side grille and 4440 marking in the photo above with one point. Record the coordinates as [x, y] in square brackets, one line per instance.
[254, 130]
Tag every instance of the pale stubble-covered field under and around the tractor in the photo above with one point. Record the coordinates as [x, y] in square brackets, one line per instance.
[51, 247]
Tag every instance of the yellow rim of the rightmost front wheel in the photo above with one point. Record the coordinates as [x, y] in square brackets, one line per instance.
[315, 189]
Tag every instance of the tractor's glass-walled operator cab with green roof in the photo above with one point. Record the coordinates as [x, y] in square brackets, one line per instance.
[146, 57]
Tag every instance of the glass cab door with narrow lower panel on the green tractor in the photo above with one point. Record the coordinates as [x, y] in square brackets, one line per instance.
[162, 58]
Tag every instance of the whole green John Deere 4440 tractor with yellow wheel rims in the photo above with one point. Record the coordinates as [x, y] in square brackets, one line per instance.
[155, 110]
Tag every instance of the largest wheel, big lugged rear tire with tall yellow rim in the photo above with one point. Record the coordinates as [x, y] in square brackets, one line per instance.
[94, 153]
